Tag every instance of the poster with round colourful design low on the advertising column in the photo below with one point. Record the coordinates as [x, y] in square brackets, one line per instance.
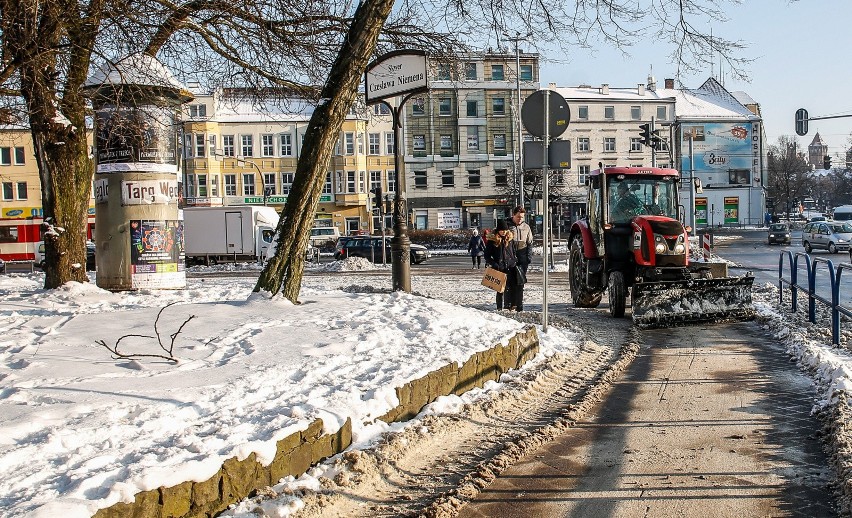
[156, 254]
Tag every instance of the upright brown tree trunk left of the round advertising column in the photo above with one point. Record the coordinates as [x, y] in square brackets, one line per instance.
[59, 137]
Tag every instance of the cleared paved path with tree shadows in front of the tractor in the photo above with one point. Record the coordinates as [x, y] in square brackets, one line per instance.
[706, 421]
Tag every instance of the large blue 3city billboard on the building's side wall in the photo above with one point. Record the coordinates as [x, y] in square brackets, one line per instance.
[722, 147]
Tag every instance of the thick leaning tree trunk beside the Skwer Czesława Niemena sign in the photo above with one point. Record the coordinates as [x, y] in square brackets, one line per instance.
[284, 271]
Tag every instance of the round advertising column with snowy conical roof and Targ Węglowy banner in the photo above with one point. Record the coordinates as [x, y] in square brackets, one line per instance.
[138, 231]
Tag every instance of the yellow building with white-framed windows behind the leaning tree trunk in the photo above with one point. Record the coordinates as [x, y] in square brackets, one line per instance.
[241, 152]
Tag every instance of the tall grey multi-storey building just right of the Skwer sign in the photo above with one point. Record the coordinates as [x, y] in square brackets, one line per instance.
[462, 140]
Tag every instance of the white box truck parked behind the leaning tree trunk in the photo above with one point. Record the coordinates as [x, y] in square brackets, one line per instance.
[215, 235]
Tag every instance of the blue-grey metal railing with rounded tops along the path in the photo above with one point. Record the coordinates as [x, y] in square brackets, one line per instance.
[835, 278]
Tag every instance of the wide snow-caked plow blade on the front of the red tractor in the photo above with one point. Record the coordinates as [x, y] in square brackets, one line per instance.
[672, 303]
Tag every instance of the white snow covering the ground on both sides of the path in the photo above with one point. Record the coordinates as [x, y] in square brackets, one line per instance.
[80, 430]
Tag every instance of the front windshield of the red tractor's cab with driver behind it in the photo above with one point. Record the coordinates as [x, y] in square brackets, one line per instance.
[634, 196]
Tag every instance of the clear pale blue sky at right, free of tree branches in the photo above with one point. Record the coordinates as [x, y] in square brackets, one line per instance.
[800, 51]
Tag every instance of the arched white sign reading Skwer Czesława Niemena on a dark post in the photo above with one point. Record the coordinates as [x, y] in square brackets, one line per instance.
[396, 73]
